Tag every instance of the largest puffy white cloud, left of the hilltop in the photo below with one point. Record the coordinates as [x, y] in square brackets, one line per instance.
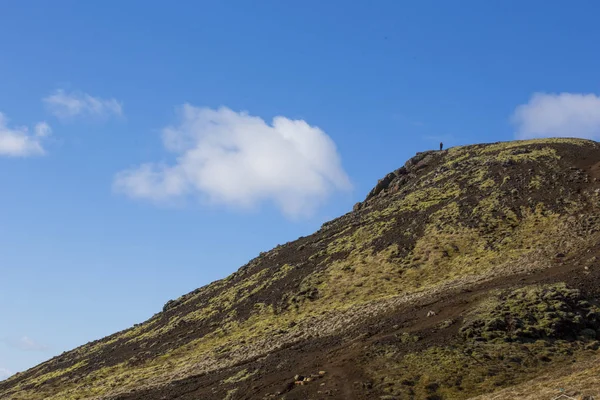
[239, 160]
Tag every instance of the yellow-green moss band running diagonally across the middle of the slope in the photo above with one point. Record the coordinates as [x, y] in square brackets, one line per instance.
[447, 251]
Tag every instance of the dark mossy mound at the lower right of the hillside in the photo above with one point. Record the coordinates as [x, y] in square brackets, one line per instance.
[509, 337]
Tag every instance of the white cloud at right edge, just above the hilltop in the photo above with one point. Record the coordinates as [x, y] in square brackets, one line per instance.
[564, 114]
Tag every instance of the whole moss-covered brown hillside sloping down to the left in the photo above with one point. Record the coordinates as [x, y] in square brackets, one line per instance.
[473, 271]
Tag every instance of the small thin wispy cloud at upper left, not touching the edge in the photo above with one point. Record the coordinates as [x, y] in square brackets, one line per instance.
[68, 105]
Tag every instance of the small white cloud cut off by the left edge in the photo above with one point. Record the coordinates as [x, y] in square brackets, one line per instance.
[18, 142]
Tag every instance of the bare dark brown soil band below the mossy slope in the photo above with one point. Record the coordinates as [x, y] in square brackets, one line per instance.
[342, 358]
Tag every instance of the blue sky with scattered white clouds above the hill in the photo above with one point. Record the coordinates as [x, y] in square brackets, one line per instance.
[149, 148]
